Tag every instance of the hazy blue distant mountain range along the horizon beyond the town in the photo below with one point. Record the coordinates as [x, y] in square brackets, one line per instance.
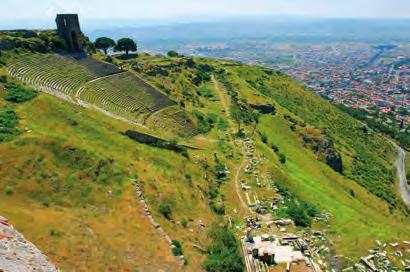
[289, 29]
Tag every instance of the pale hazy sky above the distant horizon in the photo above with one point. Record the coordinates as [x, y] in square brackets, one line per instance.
[201, 9]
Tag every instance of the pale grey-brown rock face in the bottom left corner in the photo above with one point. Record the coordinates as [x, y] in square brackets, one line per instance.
[18, 254]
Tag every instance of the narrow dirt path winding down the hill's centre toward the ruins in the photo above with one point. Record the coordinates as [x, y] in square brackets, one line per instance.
[231, 125]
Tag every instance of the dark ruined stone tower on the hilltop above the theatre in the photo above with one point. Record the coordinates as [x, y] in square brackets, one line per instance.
[68, 28]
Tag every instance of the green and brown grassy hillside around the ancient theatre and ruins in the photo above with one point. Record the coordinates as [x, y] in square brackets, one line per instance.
[69, 170]
